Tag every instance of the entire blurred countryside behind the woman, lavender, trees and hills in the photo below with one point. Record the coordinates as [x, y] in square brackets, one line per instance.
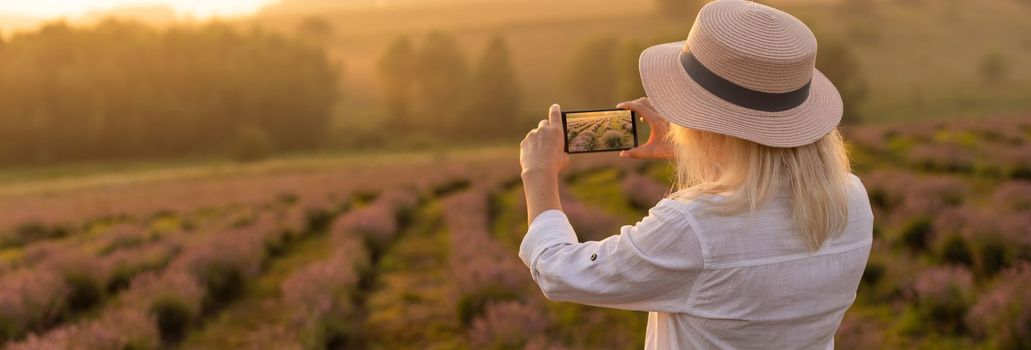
[315, 174]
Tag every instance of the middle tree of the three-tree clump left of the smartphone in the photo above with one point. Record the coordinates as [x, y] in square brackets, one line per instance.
[441, 75]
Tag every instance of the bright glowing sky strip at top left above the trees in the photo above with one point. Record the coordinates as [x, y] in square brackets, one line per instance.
[74, 9]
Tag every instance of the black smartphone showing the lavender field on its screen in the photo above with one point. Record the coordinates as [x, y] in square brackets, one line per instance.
[600, 131]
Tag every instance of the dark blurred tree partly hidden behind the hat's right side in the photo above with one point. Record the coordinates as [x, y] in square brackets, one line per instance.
[843, 69]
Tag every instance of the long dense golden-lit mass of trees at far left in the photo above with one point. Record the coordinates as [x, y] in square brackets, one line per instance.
[123, 90]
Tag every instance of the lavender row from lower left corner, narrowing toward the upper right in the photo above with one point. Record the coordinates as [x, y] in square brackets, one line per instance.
[56, 280]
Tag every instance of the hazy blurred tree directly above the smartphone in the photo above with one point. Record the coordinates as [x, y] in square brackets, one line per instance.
[591, 75]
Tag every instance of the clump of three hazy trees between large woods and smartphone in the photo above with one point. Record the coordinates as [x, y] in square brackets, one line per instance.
[429, 88]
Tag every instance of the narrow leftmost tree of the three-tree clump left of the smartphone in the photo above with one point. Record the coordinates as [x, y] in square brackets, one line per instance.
[397, 72]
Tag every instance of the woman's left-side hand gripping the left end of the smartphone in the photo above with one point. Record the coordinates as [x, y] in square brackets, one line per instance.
[543, 149]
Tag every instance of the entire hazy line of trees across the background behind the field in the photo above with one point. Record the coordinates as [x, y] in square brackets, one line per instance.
[120, 90]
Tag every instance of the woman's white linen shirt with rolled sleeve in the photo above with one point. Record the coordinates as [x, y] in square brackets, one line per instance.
[711, 281]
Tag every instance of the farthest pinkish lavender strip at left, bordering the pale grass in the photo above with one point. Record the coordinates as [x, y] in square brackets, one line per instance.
[27, 218]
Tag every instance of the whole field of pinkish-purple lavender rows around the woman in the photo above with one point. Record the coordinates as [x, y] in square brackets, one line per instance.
[422, 252]
